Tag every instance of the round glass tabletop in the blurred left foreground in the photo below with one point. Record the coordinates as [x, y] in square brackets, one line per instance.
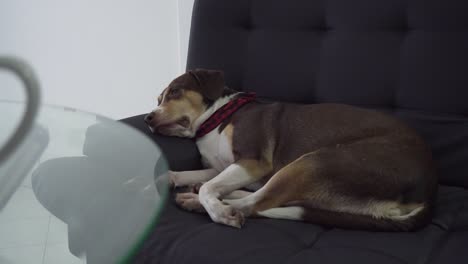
[109, 193]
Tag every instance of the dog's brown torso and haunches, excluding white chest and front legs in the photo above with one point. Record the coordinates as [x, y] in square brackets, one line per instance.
[349, 163]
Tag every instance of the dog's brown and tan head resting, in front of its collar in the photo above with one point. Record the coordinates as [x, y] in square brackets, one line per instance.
[185, 99]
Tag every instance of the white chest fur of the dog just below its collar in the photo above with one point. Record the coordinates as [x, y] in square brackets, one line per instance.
[216, 150]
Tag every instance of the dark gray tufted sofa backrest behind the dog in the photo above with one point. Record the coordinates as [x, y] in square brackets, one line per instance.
[405, 57]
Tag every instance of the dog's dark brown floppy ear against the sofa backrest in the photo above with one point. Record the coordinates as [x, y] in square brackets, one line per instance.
[211, 82]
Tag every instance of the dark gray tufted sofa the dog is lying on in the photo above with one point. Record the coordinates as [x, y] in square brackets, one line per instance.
[408, 58]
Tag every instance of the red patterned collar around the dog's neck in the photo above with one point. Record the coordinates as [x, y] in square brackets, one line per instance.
[223, 113]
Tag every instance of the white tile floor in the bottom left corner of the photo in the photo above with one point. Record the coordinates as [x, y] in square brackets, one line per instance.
[29, 234]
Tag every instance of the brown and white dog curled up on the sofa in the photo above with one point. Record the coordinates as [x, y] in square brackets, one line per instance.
[330, 164]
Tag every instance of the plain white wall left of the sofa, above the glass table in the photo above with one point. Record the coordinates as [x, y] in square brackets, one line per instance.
[111, 57]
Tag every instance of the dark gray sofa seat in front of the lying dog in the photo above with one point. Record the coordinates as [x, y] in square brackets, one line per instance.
[182, 237]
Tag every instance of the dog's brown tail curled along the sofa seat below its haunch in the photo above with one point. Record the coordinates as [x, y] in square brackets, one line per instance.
[365, 222]
